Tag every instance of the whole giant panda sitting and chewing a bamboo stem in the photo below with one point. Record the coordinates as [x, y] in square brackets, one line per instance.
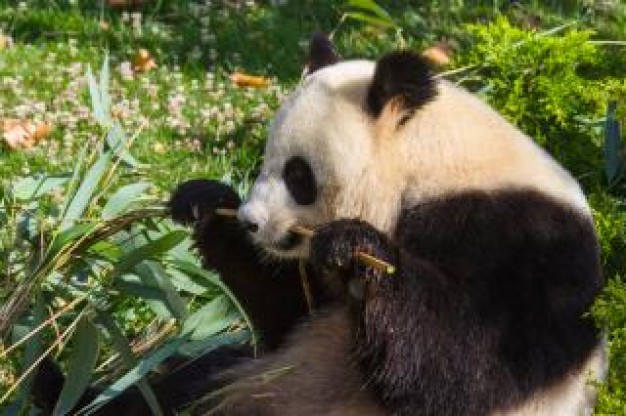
[496, 257]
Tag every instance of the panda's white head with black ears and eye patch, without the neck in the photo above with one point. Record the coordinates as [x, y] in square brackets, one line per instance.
[328, 151]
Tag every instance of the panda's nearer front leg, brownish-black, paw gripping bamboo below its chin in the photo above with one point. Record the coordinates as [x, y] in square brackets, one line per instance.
[401, 335]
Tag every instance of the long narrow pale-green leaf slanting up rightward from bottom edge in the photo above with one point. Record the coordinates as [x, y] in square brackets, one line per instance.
[136, 374]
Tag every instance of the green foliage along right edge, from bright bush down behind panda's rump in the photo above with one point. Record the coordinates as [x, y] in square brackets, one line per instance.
[555, 85]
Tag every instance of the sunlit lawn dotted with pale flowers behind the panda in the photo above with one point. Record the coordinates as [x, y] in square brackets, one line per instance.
[193, 121]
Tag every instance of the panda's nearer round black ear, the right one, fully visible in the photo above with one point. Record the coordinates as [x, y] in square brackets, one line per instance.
[403, 76]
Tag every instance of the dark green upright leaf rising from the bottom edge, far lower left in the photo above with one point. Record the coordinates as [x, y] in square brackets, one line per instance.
[81, 365]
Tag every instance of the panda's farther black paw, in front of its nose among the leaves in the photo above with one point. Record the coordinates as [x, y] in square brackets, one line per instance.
[196, 200]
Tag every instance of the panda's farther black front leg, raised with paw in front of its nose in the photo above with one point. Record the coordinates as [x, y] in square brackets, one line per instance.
[270, 293]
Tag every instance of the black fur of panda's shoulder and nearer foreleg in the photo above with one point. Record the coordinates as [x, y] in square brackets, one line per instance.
[486, 308]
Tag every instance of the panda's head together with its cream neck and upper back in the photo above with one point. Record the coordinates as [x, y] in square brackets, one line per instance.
[361, 139]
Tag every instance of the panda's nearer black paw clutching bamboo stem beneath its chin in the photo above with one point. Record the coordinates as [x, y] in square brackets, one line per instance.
[335, 246]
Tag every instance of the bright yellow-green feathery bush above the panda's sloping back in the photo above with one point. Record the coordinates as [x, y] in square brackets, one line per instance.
[551, 83]
